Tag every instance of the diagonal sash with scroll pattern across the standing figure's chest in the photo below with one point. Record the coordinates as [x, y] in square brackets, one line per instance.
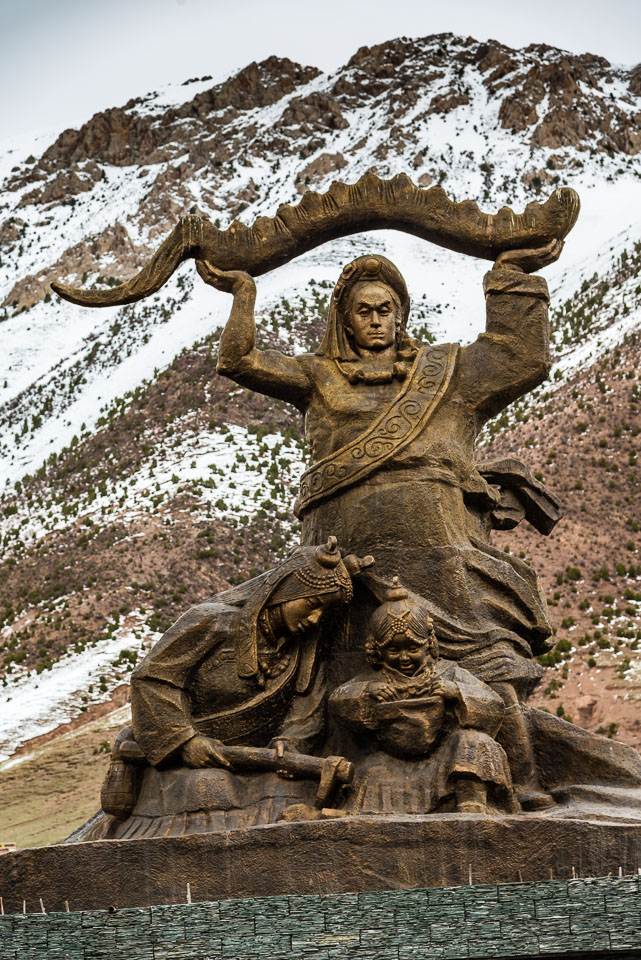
[396, 427]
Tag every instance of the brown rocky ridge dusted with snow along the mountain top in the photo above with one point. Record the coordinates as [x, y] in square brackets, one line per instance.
[553, 99]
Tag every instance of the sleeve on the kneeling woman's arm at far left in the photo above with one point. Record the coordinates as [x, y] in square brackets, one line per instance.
[160, 710]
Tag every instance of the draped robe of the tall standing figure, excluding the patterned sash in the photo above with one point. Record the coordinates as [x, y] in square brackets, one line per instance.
[422, 512]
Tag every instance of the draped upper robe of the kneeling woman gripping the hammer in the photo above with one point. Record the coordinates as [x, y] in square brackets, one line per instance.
[191, 681]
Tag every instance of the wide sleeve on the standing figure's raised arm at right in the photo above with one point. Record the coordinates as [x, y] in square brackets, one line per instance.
[513, 354]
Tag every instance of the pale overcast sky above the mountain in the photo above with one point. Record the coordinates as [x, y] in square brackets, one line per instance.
[61, 62]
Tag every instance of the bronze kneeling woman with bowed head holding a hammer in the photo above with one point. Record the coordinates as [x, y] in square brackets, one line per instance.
[244, 670]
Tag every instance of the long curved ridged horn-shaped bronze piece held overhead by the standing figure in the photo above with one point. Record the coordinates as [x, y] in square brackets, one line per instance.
[370, 204]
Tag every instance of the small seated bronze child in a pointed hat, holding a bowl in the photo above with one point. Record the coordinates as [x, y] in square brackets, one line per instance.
[434, 717]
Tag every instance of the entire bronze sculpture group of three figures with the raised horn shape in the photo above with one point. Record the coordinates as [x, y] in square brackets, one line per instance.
[426, 685]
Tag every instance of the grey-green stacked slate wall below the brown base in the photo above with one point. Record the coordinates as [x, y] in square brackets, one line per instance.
[588, 918]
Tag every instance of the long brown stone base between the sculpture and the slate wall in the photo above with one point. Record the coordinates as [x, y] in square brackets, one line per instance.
[320, 857]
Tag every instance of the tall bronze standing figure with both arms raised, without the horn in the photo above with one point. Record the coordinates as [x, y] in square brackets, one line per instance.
[391, 424]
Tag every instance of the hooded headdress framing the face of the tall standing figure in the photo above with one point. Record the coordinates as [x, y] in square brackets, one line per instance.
[370, 268]
